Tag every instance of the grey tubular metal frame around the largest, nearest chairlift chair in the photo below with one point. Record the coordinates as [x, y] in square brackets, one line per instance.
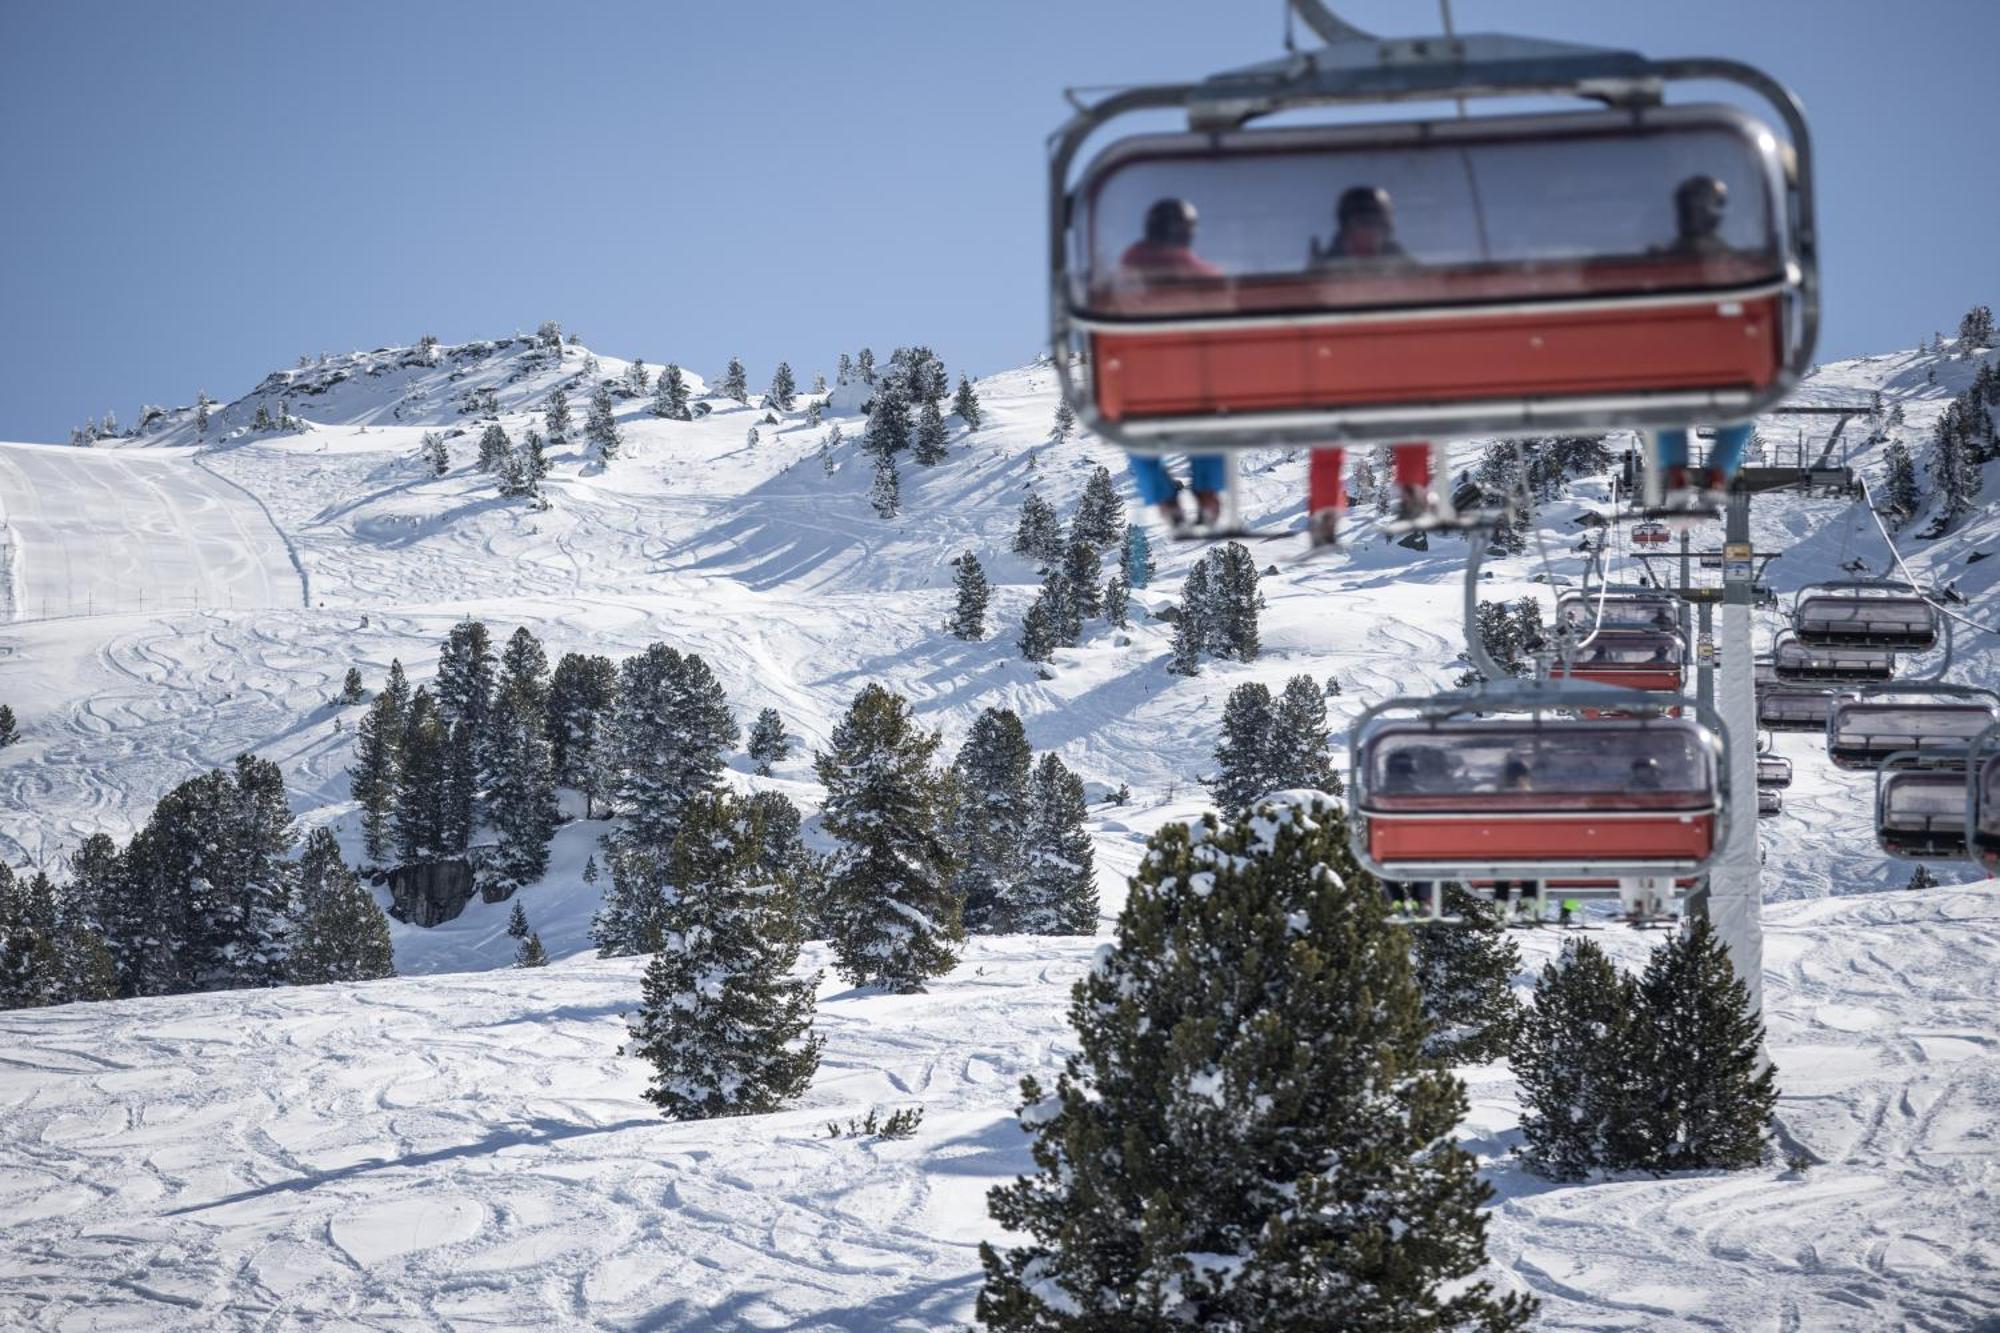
[1357, 69]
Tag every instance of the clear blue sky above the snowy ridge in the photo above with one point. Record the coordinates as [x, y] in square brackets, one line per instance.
[201, 193]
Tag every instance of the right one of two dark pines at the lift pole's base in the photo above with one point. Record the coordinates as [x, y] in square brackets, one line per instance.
[1701, 1090]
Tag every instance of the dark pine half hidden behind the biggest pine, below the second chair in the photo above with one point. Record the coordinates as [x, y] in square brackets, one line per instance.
[1467, 974]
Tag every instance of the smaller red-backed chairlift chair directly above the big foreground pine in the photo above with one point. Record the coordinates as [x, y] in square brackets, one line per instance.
[1511, 782]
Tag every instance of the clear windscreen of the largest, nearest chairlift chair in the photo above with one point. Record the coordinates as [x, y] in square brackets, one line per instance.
[1383, 217]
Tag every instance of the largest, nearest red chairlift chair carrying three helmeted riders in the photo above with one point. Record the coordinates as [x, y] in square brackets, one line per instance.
[1541, 275]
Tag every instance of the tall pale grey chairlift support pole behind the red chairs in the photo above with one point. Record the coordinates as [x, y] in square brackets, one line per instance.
[1735, 904]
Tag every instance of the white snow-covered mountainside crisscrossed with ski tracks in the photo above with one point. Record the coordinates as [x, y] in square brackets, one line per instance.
[467, 1150]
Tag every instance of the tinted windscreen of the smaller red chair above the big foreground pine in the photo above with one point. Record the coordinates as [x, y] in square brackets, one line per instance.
[1529, 762]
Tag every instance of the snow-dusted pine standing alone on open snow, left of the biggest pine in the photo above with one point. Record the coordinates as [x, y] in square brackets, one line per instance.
[723, 1022]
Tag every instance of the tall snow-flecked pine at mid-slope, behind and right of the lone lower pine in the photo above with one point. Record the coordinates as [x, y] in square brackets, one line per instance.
[891, 904]
